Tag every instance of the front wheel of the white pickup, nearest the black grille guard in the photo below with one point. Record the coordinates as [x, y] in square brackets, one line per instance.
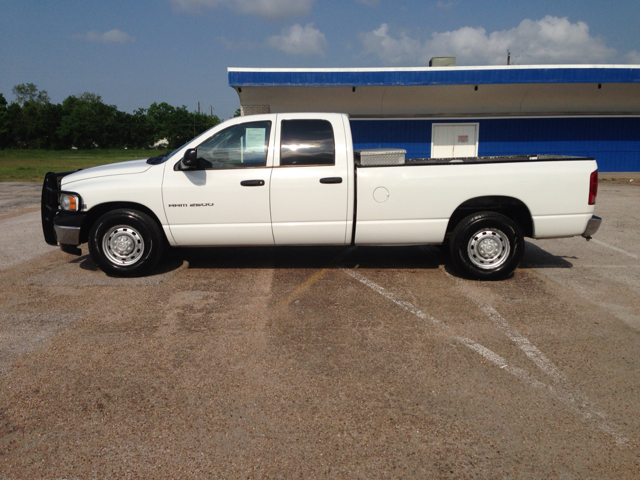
[126, 243]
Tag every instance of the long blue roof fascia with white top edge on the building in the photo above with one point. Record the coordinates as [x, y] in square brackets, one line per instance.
[432, 76]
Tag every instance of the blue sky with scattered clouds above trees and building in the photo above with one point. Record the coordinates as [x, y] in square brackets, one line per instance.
[136, 52]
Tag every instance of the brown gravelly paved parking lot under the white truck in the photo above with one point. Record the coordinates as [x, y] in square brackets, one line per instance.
[321, 362]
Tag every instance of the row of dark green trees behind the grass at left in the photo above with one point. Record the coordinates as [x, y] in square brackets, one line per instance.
[85, 121]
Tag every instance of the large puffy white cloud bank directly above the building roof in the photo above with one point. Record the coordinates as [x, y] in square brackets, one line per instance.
[551, 40]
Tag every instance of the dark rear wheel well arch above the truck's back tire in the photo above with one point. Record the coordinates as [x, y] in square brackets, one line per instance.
[510, 207]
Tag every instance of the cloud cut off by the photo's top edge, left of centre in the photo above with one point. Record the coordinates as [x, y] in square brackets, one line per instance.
[268, 9]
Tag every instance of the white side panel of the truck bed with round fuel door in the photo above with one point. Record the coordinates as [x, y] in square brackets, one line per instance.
[422, 198]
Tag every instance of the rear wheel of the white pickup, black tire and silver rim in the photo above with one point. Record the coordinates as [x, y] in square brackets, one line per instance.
[487, 246]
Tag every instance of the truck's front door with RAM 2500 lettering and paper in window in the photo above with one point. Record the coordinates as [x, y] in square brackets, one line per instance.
[225, 201]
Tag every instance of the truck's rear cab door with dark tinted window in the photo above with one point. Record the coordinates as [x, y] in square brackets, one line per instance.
[310, 181]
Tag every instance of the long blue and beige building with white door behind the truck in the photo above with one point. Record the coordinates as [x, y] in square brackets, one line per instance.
[583, 110]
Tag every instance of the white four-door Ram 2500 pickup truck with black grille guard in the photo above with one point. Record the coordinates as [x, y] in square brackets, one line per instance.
[294, 179]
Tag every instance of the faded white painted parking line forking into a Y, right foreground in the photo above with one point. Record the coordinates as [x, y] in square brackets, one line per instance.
[580, 407]
